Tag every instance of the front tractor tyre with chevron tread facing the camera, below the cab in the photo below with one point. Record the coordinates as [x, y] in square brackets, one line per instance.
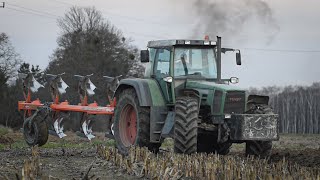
[186, 125]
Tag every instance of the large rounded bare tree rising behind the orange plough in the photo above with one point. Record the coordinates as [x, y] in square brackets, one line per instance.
[90, 44]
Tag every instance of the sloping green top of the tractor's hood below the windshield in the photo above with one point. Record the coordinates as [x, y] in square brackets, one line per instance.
[211, 86]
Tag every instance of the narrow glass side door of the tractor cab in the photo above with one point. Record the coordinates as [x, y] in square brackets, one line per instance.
[161, 72]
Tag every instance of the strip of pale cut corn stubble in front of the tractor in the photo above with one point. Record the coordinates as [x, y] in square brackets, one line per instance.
[143, 163]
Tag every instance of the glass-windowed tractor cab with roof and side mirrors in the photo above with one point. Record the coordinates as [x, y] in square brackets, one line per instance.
[177, 63]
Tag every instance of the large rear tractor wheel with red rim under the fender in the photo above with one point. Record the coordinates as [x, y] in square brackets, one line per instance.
[132, 123]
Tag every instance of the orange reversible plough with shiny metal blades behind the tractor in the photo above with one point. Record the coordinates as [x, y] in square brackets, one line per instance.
[39, 116]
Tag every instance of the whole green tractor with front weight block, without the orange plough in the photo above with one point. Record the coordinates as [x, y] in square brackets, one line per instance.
[183, 97]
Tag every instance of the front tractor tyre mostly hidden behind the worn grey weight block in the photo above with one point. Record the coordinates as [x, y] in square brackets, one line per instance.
[260, 149]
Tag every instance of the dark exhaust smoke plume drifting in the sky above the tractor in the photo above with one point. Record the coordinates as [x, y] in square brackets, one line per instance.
[228, 18]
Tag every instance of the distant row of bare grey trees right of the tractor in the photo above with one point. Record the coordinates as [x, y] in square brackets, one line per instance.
[298, 107]
